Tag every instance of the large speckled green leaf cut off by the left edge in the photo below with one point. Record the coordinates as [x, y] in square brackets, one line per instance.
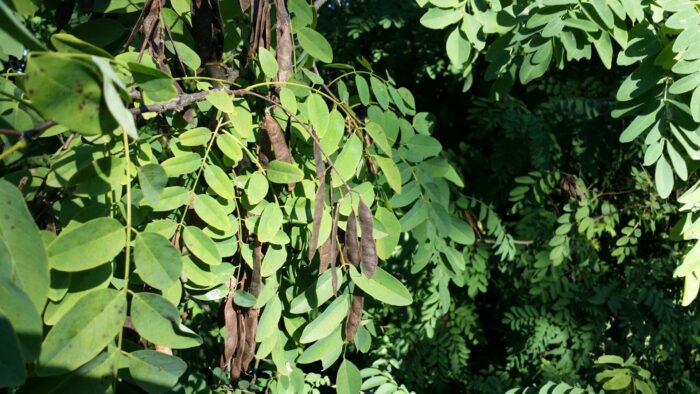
[23, 243]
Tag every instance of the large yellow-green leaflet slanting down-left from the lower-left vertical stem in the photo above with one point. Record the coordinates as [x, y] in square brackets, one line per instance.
[83, 332]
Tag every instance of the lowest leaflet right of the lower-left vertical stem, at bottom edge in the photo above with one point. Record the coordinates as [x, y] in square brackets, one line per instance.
[154, 371]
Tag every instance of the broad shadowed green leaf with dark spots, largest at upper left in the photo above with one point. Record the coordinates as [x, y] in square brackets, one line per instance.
[56, 78]
